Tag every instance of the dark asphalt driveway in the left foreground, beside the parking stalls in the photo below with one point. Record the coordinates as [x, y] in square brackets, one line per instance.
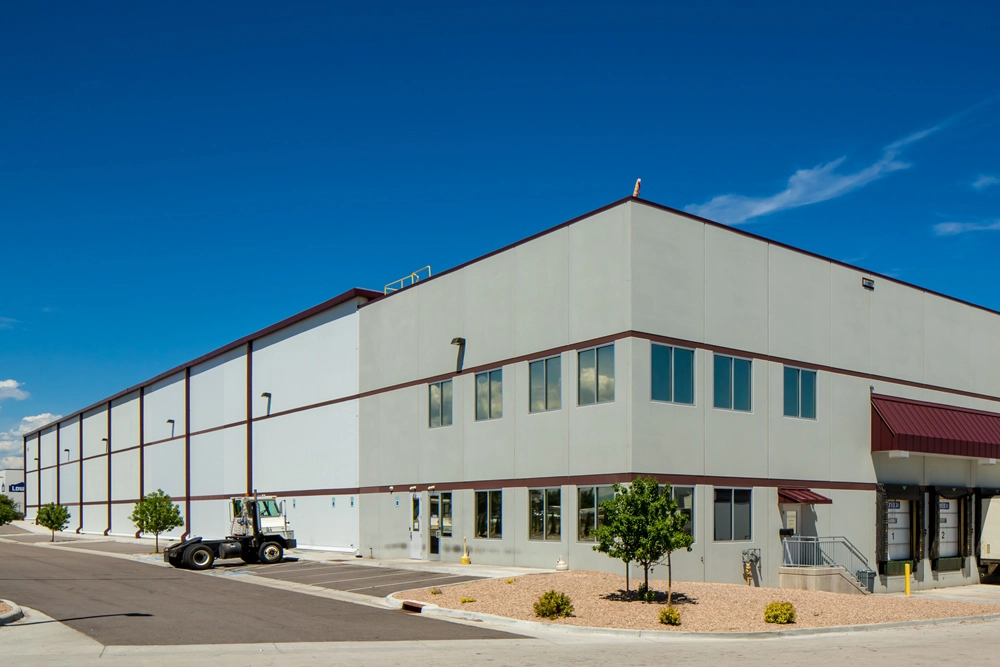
[123, 602]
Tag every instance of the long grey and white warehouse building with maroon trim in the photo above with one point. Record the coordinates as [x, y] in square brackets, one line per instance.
[780, 394]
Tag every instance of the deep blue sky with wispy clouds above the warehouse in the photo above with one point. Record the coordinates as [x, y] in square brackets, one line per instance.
[175, 176]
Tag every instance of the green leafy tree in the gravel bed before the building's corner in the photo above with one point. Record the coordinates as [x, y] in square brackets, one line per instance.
[642, 523]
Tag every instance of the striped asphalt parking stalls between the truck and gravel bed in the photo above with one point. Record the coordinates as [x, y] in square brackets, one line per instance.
[347, 576]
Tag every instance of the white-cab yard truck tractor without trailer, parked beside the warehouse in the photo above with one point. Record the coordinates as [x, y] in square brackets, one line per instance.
[258, 533]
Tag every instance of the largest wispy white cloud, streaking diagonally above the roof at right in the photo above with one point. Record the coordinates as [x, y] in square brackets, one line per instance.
[810, 186]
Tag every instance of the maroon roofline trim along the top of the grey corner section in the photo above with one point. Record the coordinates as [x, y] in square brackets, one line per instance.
[691, 216]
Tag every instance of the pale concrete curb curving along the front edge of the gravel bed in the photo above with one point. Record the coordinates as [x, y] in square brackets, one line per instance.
[537, 626]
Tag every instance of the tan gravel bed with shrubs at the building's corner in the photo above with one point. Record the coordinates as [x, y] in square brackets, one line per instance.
[597, 601]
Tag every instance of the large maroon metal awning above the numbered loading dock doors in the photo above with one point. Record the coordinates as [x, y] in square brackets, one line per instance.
[932, 428]
